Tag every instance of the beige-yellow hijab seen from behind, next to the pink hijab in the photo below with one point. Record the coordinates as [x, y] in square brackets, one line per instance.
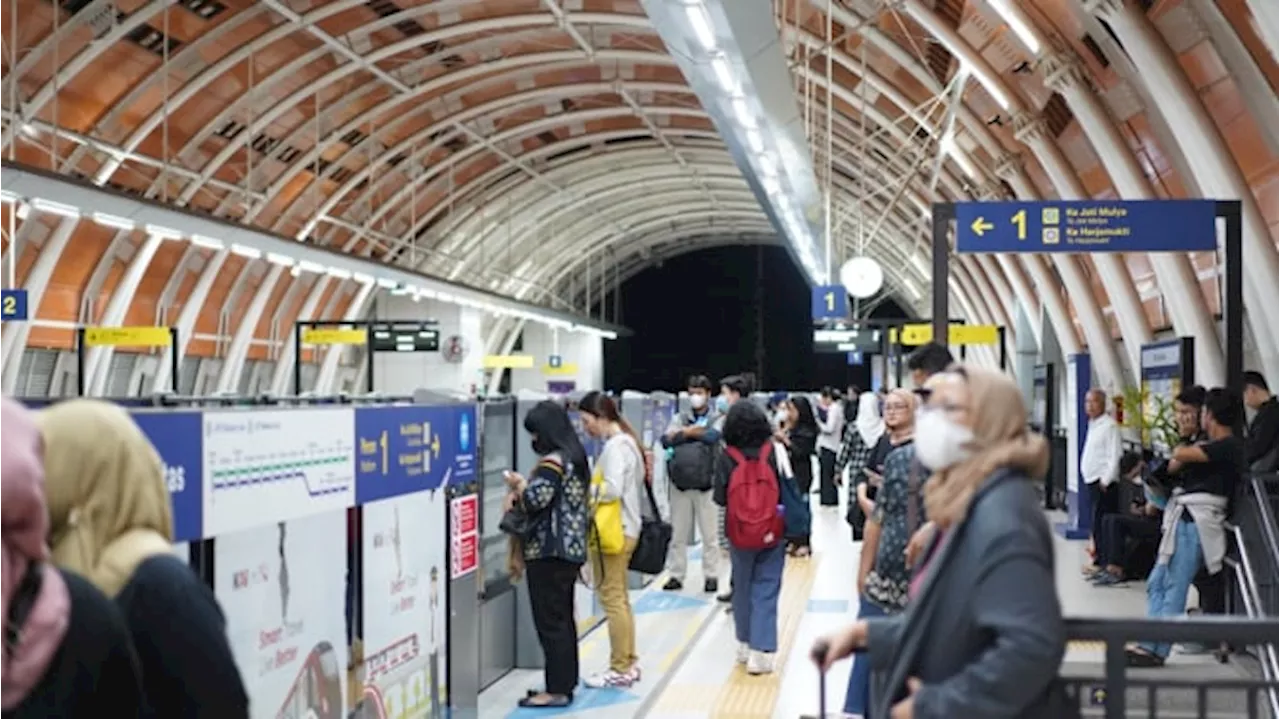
[108, 501]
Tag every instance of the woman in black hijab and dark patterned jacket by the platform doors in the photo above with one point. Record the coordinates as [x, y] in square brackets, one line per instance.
[554, 544]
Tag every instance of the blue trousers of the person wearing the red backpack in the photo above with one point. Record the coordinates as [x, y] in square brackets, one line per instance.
[757, 585]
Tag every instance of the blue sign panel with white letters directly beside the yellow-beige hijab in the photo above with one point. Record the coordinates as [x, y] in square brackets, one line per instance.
[179, 438]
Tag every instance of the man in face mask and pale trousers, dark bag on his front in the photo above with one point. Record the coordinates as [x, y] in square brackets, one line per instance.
[692, 442]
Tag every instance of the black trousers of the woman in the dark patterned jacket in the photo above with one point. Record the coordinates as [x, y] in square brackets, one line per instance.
[551, 597]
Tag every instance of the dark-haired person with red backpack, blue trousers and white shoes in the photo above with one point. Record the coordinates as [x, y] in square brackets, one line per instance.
[748, 488]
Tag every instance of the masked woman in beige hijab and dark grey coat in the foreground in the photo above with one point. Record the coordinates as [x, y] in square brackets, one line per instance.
[996, 654]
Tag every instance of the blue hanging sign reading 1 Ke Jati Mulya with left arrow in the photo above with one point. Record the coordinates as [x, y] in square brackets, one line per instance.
[1087, 226]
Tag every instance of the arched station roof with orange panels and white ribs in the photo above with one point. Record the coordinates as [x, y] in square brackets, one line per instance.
[519, 145]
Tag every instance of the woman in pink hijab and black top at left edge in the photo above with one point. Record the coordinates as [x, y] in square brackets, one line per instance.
[70, 654]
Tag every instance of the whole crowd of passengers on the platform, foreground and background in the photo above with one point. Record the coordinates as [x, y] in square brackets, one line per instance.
[941, 486]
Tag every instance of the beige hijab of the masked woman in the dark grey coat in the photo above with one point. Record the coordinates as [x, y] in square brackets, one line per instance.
[1002, 441]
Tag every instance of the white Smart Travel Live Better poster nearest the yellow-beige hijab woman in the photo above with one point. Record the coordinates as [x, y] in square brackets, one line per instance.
[282, 588]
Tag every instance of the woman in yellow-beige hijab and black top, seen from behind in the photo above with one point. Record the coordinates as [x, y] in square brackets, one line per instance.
[112, 523]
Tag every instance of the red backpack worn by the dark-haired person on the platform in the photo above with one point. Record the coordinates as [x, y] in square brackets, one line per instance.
[752, 518]
